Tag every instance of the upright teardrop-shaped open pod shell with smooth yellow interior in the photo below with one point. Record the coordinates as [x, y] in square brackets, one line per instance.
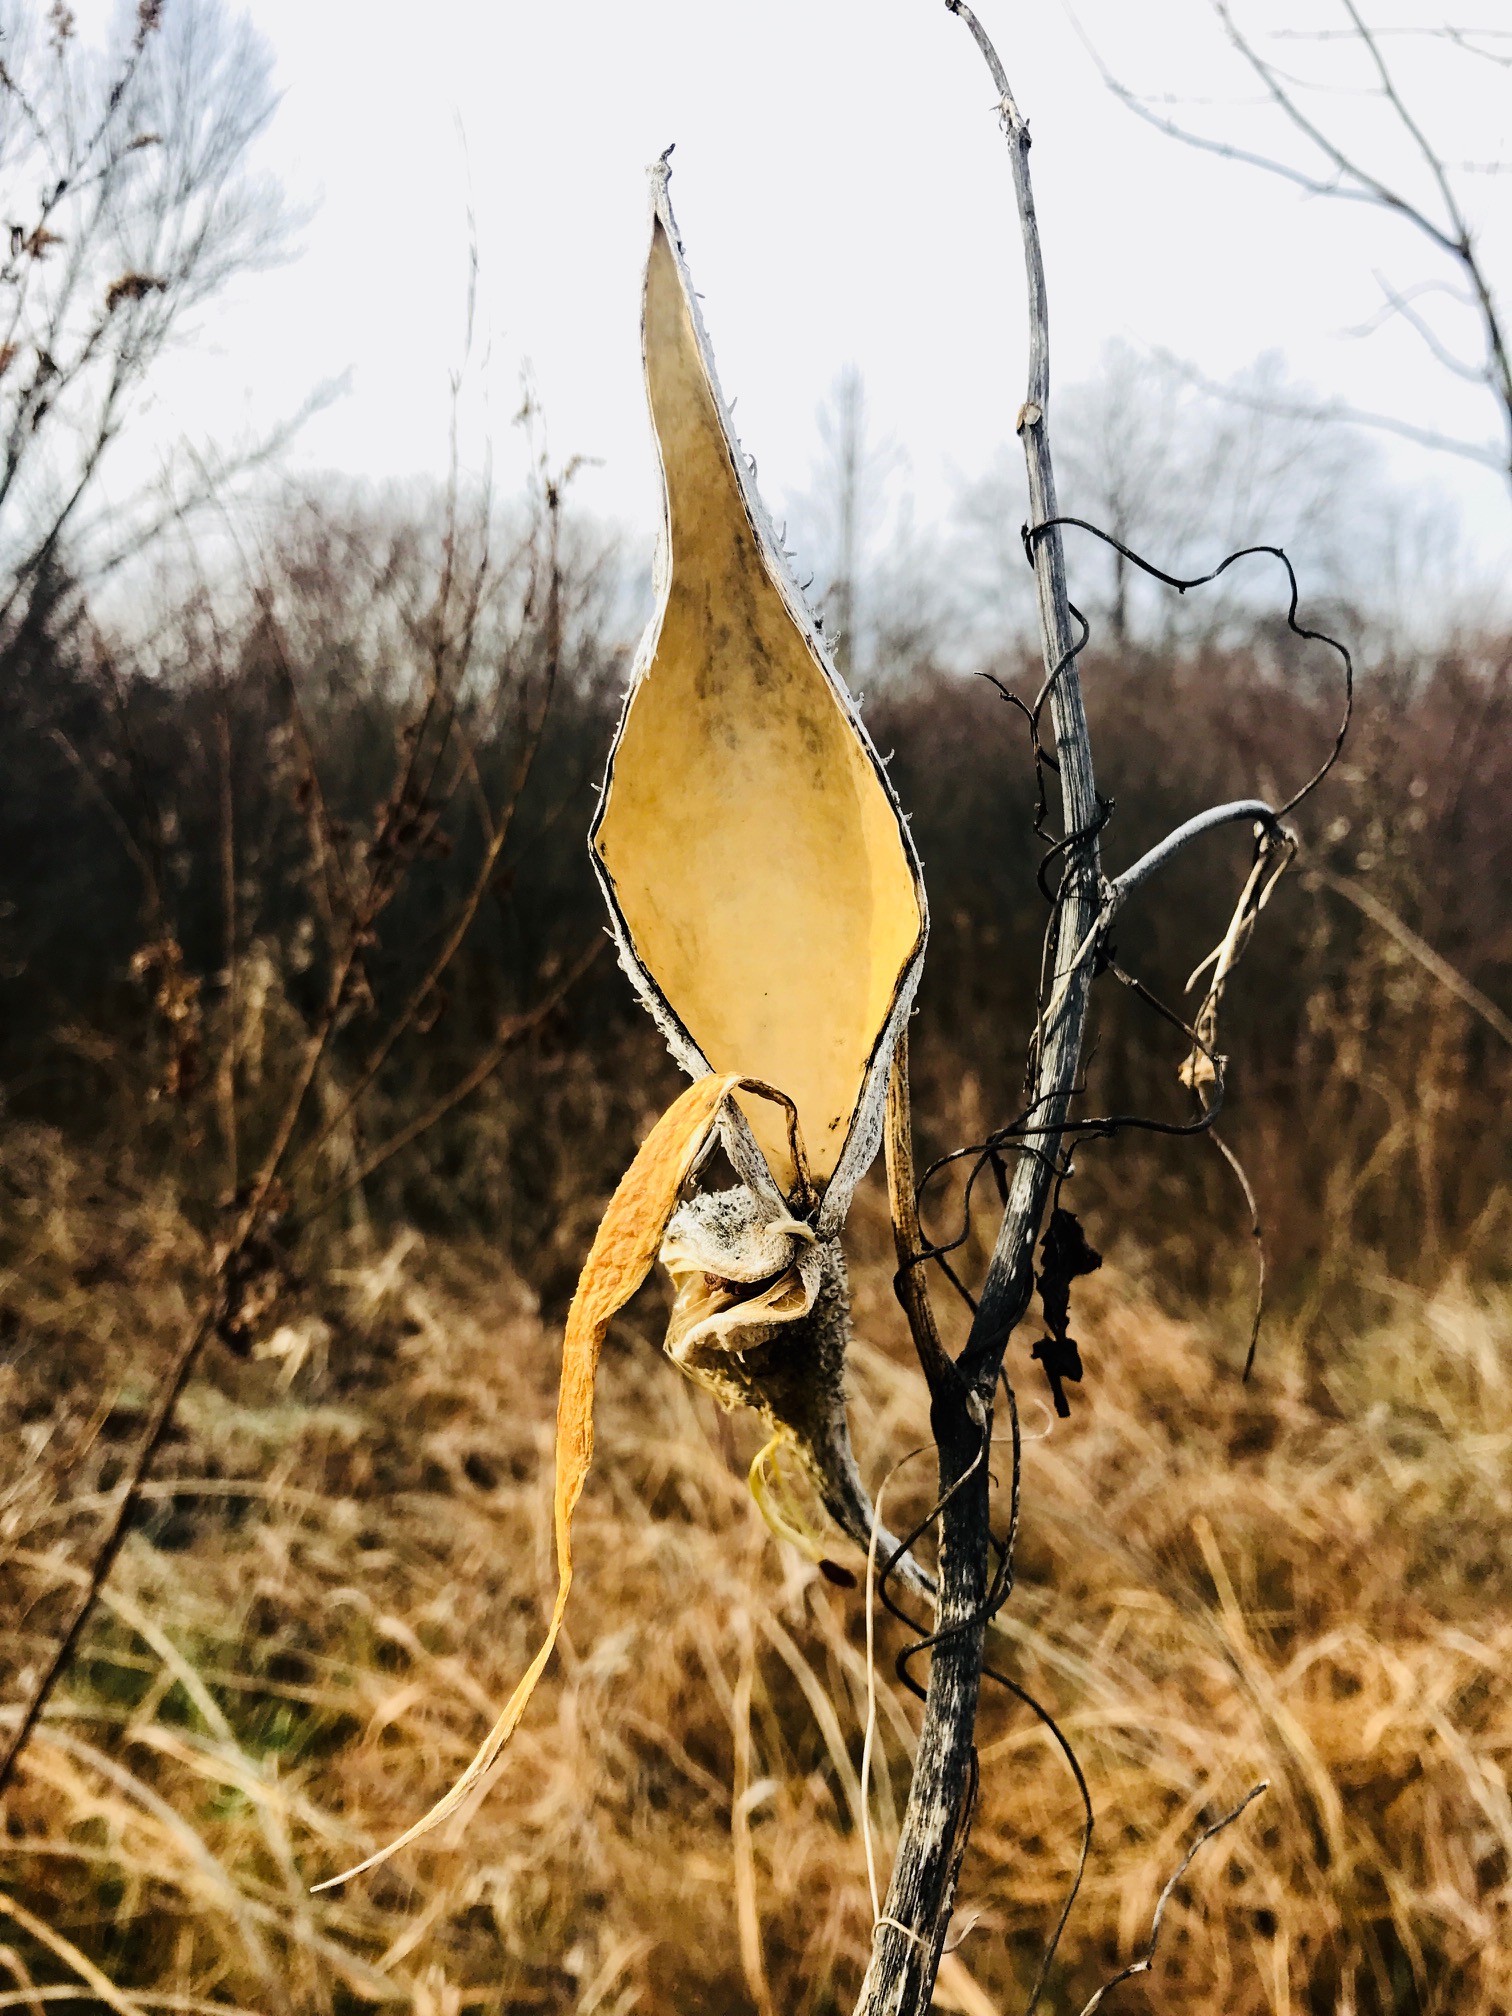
[761, 880]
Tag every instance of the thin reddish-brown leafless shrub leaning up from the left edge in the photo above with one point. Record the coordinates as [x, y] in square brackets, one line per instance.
[471, 642]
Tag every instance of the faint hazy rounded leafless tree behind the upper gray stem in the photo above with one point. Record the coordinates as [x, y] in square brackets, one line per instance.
[1184, 471]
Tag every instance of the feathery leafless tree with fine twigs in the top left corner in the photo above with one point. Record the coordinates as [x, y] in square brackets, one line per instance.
[130, 203]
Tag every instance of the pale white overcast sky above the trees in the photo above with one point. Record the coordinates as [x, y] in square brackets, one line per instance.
[844, 195]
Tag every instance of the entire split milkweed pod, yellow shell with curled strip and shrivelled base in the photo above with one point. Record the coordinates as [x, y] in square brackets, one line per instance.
[769, 908]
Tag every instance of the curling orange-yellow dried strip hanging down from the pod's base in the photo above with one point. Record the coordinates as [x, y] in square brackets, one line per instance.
[620, 1259]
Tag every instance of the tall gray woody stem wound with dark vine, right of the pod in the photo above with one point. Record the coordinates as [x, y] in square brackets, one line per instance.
[912, 1928]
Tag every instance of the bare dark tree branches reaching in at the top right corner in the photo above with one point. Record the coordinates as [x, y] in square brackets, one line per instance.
[1414, 178]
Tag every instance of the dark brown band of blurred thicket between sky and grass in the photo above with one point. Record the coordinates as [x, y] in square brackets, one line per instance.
[176, 824]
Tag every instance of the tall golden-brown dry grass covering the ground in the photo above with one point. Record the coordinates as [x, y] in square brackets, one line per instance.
[346, 1559]
